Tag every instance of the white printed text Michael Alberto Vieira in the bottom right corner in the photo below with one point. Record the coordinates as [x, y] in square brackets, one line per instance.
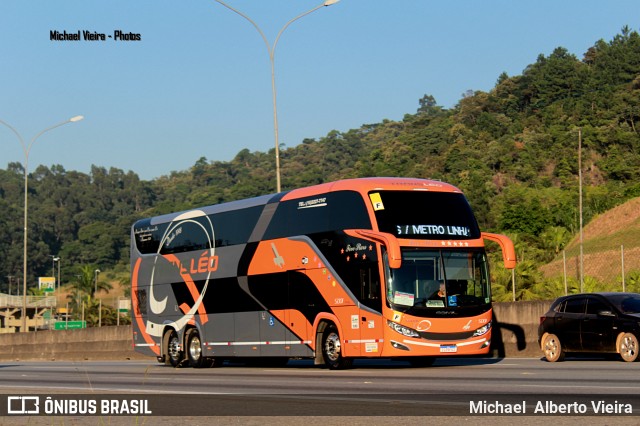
[549, 407]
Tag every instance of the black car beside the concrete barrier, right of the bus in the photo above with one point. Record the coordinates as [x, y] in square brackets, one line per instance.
[591, 322]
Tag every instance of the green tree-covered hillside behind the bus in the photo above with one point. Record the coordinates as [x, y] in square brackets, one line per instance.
[513, 150]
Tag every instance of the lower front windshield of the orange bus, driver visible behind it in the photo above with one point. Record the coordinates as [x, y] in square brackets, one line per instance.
[434, 279]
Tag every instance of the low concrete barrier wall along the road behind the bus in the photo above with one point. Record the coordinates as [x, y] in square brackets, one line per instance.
[515, 334]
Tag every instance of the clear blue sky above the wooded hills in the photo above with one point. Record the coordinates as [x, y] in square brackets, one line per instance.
[198, 82]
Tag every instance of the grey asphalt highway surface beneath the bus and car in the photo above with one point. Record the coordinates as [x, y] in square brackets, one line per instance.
[370, 393]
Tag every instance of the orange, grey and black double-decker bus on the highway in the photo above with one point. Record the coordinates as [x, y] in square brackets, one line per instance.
[358, 268]
